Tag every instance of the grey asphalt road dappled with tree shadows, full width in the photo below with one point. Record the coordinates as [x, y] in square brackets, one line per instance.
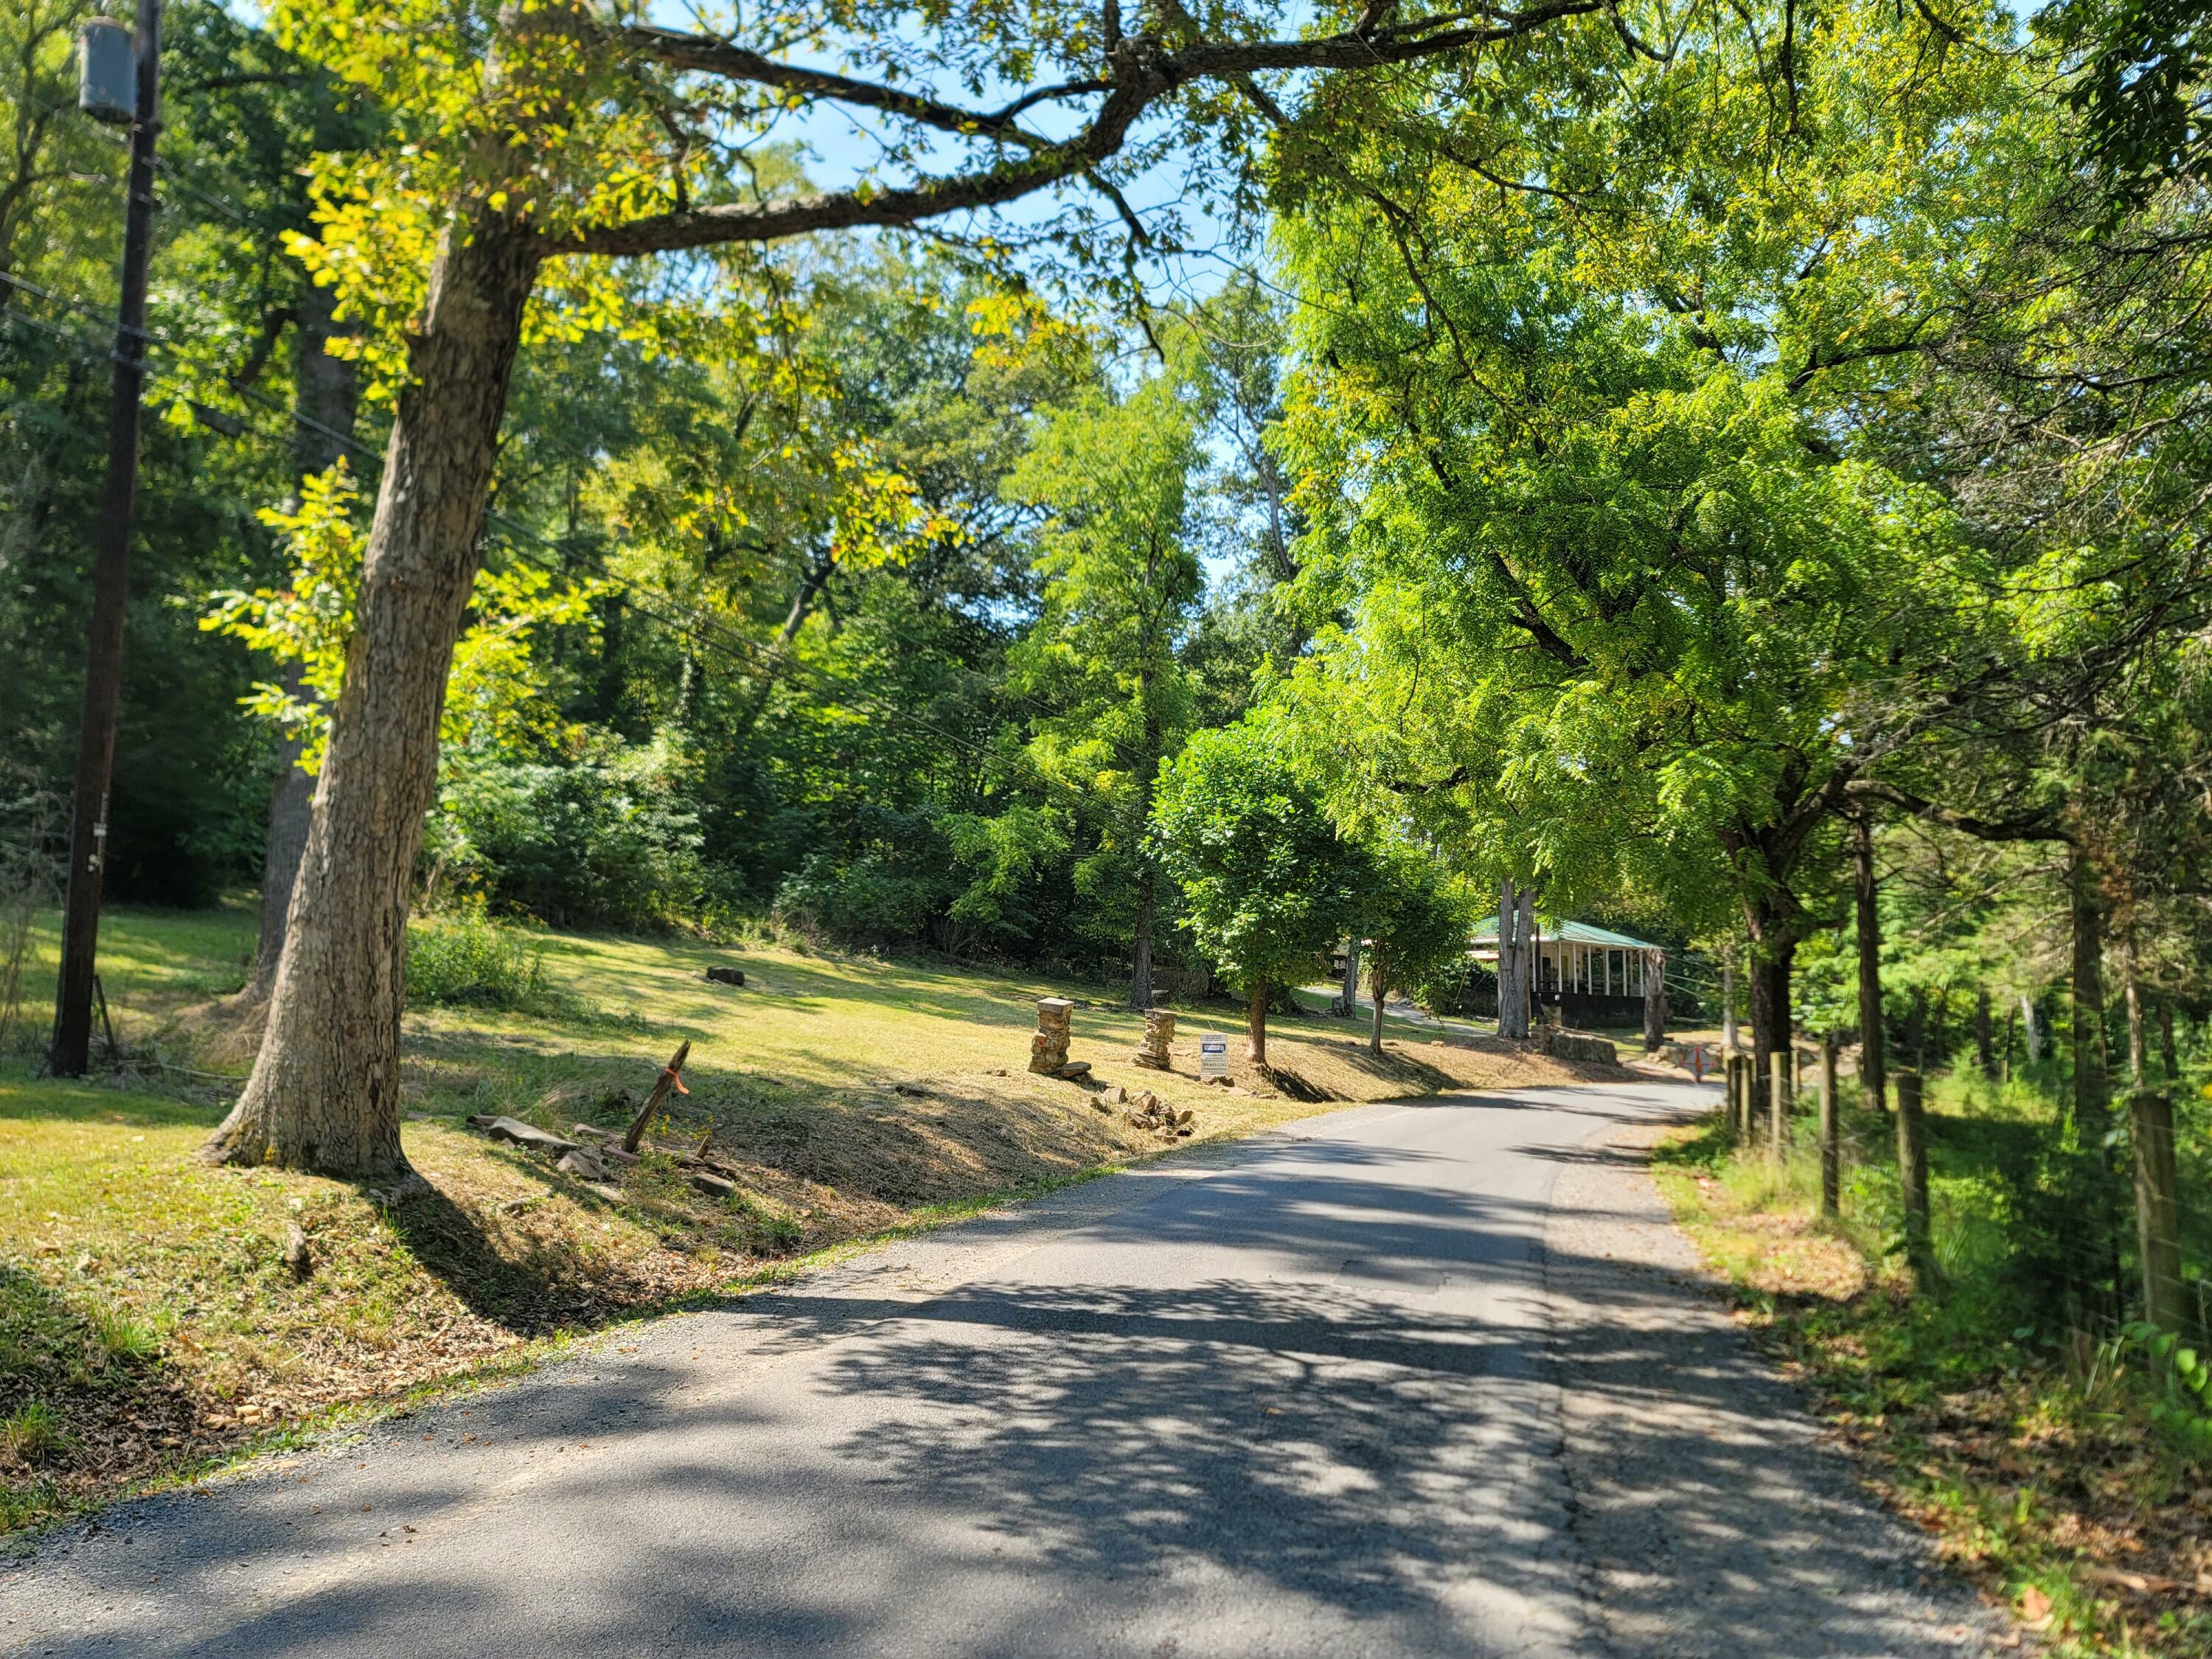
[1410, 1379]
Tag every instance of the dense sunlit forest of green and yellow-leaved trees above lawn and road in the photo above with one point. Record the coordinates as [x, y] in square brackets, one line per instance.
[1738, 472]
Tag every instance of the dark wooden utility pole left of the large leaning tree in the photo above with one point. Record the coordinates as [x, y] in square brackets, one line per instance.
[112, 581]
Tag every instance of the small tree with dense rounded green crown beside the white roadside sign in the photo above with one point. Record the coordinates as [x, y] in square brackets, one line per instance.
[1266, 879]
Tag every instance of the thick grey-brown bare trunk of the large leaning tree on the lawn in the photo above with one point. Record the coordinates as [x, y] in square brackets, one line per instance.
[326, 1087]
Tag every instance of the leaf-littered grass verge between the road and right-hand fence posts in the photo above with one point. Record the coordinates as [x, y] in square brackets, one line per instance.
[2036, 1463]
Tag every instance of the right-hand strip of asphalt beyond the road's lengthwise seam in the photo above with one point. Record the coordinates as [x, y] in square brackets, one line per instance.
[1711, 1514]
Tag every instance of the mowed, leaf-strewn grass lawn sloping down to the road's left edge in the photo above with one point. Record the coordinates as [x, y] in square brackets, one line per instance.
[152, 1324]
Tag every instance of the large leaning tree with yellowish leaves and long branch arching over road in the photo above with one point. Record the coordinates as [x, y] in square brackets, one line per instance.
[543, 138]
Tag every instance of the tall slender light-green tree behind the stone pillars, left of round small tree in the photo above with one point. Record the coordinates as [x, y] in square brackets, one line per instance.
[1120, 578]
